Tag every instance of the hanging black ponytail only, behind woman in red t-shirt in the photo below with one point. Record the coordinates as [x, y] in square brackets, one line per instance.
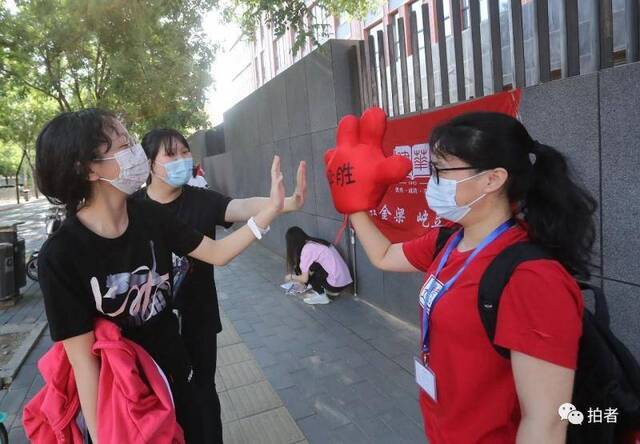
[559, 212]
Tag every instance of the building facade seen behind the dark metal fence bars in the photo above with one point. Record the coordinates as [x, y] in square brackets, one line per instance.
[265, 56]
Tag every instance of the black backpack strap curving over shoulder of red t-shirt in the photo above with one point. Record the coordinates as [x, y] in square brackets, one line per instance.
[495, 279]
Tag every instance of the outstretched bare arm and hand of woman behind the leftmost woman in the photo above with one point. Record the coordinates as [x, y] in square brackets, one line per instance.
[240, 210]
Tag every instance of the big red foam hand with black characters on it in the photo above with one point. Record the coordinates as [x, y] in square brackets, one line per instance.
[357, 170]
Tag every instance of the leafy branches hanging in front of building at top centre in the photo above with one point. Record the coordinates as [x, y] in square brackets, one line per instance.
[294, 15]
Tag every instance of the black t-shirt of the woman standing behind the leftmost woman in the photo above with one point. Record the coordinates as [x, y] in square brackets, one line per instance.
[196, 296]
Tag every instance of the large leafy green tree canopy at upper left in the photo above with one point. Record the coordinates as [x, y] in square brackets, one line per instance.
[147, 60]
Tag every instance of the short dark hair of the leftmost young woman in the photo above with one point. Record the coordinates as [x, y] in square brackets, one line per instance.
[64, 149]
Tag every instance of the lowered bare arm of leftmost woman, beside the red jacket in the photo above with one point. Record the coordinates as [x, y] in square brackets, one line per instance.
[86, 368]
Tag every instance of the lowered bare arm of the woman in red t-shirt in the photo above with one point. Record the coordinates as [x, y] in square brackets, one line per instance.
[542, 387]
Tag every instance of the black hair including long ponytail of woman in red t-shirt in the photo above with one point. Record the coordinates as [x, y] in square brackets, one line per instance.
[558, 212]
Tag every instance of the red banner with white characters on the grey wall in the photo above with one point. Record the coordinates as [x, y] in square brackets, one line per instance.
[403, 213]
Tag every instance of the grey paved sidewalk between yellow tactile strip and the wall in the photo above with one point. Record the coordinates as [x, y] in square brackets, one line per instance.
[343, 370]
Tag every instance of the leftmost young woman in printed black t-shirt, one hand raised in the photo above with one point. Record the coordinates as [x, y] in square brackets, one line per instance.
[111, 257]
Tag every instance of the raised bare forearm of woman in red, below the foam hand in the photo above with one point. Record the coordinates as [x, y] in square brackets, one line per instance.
[380, 251]
